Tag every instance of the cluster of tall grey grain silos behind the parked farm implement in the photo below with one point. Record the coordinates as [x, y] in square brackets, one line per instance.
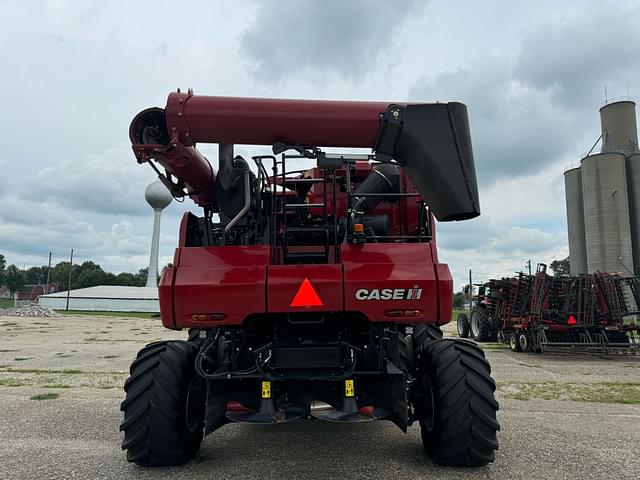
[605, 192]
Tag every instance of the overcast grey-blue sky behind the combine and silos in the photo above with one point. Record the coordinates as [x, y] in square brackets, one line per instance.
[73, 74]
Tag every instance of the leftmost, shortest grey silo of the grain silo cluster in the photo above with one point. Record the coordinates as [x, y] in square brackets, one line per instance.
[575, 221]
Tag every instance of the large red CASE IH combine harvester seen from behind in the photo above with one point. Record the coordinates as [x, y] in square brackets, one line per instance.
[312, 293]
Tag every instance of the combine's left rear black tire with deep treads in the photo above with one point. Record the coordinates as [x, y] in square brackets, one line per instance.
[164, 405]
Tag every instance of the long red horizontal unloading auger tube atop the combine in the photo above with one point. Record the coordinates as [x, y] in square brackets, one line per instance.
[265, 121]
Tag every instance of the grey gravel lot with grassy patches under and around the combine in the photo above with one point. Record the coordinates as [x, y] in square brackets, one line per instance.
[84, 360]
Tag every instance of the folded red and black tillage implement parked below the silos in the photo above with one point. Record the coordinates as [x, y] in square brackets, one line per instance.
[538, 312]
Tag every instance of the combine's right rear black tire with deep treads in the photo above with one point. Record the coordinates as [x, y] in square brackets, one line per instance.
[458, 410]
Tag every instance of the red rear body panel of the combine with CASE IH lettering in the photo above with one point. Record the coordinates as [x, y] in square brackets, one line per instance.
[234, 282]
